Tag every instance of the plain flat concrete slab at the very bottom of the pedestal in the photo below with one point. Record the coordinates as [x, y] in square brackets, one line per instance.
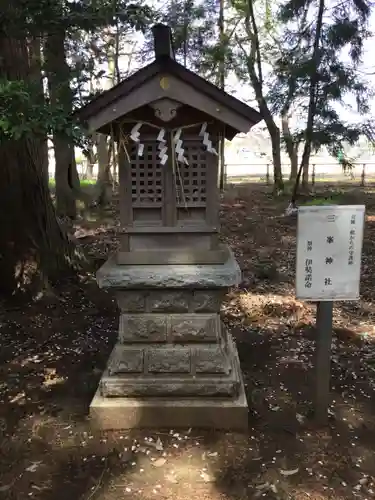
[127, 413]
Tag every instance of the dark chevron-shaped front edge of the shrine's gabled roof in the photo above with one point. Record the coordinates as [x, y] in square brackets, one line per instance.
[170, 66]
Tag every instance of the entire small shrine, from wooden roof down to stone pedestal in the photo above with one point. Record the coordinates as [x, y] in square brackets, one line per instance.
[171, 272]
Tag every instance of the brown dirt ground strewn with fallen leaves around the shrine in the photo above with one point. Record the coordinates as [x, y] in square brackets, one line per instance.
[52, 356]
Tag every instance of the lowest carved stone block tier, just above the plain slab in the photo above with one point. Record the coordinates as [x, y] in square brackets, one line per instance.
[180, 371]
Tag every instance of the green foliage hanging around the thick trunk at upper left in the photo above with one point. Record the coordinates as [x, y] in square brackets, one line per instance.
[23, 110]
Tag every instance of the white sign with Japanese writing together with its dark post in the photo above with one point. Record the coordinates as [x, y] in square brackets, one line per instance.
[329, 248]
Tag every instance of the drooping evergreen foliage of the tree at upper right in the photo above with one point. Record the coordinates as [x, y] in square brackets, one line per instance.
[338, 79]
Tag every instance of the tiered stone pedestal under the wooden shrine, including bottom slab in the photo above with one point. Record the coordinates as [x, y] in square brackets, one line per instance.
[174, 364]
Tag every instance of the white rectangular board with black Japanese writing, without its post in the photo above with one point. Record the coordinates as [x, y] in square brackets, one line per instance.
[329, 248]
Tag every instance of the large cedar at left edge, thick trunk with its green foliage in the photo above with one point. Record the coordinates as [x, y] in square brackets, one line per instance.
[33, 244]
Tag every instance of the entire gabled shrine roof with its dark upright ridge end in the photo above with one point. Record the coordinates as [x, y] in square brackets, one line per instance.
[237, 116]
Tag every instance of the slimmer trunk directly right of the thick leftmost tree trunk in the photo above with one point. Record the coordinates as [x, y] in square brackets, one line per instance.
[66, 175]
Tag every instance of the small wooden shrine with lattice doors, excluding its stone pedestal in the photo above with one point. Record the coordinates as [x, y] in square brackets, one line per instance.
[168, 122]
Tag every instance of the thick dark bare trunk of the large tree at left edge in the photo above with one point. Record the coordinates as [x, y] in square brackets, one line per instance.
[33, 245]
